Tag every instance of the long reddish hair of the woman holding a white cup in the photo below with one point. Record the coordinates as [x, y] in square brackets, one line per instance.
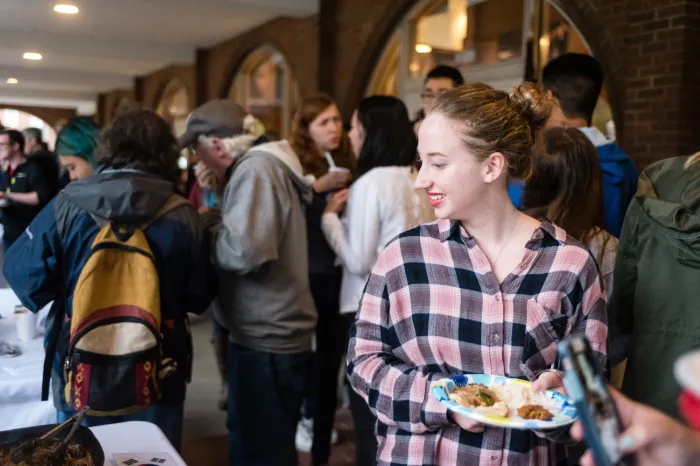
[313, 162]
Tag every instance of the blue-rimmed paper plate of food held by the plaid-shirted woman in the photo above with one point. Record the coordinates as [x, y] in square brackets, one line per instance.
[504, 402]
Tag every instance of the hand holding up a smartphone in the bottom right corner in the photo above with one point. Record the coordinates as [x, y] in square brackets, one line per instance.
[651, 435]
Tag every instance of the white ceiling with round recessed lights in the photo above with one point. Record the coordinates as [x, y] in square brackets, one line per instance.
[111, 41]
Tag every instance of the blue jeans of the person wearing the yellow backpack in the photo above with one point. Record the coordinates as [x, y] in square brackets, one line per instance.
[167, 416]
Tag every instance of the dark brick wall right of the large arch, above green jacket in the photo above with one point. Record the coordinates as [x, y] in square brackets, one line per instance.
[660, 81]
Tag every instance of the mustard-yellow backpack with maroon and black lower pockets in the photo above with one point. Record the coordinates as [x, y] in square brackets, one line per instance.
[115, 362]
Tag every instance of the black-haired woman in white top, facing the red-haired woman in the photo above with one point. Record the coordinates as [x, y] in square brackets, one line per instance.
[381, 204]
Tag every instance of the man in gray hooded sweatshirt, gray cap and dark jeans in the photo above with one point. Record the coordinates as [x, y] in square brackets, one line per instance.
[265, 301]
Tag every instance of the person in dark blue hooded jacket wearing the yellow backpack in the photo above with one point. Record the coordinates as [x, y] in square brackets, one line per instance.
[138, 154]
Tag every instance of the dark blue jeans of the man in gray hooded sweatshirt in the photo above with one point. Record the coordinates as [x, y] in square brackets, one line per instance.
[265, 394]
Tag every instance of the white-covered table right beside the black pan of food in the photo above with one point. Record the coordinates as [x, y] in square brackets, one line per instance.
[134, 437]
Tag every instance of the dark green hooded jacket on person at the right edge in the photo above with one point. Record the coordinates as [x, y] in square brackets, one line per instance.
[656, 298]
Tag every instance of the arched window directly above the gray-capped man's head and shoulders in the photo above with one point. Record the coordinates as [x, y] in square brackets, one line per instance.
[264, 84]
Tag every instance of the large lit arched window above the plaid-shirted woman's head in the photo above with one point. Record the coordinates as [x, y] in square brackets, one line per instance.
[498, 42]
